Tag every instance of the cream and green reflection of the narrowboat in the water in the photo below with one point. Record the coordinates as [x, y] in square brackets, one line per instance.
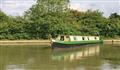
[71, 54]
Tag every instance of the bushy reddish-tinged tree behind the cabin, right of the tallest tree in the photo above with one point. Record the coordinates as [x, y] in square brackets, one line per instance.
[89, 22]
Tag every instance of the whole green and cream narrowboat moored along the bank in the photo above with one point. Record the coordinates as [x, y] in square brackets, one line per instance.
[72, 40]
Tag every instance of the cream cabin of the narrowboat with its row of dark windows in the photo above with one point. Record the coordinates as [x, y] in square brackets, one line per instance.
[77, 38]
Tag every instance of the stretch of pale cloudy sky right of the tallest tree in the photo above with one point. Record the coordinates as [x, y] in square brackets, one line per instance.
[106, 6]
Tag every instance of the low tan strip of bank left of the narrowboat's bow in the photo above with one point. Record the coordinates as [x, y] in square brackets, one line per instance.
[25, 42]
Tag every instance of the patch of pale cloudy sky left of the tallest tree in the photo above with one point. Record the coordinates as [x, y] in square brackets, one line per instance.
[16, 7]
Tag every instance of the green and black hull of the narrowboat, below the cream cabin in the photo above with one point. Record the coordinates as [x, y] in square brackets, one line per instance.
[63, 44]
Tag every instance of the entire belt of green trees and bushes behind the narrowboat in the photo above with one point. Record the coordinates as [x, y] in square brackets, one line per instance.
[54, 17]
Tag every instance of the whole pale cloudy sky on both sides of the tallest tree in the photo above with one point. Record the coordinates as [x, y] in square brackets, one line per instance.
[17, 7]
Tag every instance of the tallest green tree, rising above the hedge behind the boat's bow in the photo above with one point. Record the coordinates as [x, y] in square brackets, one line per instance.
[47, 17]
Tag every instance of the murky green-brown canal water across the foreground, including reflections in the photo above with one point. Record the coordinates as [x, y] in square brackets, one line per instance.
[90, 57]
